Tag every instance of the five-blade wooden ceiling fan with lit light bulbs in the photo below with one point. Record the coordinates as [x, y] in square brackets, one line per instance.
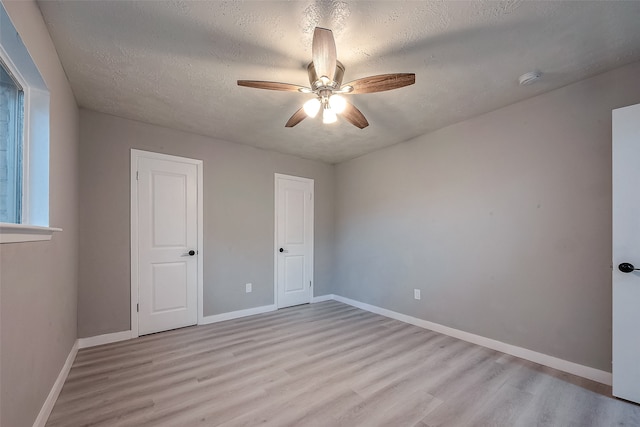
[325, 77]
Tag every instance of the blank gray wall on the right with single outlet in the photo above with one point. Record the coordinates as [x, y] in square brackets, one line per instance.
[503, 221]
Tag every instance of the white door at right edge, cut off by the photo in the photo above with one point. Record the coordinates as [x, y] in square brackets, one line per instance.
[626, 249]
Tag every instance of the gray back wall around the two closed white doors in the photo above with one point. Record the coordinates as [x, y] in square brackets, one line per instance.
[238, 218]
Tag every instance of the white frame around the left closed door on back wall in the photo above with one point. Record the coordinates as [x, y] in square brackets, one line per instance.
[135, 155]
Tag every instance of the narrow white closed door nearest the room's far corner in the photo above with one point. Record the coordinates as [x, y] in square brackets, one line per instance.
[294, 240]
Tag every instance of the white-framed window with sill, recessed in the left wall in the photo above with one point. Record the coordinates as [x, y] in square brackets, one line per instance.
[24, 142]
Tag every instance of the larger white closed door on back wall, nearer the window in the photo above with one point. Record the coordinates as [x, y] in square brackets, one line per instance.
[167, 244]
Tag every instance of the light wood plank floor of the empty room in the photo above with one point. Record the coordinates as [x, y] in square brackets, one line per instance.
[326, 364]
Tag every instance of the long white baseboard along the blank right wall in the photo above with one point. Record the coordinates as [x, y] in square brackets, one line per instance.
[523, 353]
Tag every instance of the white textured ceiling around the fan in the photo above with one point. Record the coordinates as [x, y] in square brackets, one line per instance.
[175, 63]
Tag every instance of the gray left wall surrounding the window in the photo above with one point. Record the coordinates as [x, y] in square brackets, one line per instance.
[39, 279]
